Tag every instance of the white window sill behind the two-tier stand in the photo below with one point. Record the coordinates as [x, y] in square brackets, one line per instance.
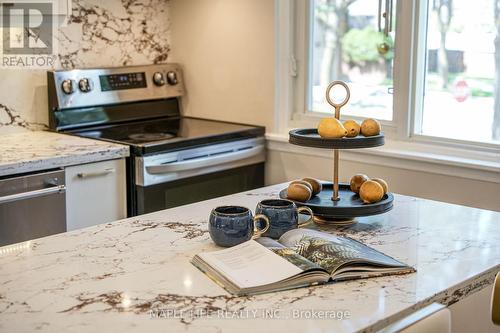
[417, 156]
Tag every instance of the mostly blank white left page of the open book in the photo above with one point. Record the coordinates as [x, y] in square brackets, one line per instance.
[250, 265]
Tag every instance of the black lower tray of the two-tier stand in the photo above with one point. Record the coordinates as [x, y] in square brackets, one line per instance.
[349, 205]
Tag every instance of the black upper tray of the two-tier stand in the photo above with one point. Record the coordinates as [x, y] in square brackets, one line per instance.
[309, 137]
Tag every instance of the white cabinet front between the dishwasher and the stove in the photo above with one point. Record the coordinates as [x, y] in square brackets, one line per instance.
[95, 193]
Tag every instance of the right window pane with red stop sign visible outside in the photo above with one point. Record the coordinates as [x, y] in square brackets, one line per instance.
[463, 64]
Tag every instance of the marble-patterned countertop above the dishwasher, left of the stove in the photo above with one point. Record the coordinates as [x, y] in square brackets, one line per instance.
[42, 150]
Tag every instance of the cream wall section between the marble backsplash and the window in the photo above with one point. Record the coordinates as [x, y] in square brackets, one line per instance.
[227, 50]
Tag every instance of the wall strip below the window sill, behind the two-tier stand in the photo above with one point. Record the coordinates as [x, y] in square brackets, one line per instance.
[283, 166]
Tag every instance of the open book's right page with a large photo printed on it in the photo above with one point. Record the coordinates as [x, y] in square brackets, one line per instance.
[331, 251]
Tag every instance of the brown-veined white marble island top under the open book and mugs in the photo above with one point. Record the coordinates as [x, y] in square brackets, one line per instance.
[135, 275]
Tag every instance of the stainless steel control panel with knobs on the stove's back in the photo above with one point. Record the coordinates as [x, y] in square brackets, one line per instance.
[95, 87]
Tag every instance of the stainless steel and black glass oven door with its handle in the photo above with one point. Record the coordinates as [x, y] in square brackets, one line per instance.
[191, 175]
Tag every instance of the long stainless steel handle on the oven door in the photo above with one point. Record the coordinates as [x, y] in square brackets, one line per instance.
[205, 161]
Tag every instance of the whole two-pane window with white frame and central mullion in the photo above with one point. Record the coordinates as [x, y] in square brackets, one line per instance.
[444, 62]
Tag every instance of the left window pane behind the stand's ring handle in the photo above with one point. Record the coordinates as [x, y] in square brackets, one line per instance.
[347, 45]
